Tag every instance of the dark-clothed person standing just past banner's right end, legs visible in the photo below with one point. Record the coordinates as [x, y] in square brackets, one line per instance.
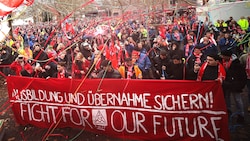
[234, 82]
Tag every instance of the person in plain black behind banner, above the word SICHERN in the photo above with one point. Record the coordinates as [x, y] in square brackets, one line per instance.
[175, 68]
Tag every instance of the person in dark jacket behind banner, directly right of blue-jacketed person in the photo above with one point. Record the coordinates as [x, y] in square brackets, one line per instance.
[159, 65]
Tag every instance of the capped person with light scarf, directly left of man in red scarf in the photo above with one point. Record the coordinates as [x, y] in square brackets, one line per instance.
[193, 63]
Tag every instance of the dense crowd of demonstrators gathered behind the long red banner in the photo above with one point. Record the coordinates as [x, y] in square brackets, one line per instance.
[160, 47]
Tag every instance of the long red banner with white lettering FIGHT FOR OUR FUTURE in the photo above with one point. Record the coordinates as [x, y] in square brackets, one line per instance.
[131, 109]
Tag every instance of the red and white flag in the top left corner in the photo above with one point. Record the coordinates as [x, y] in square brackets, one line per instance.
[6, 6]
